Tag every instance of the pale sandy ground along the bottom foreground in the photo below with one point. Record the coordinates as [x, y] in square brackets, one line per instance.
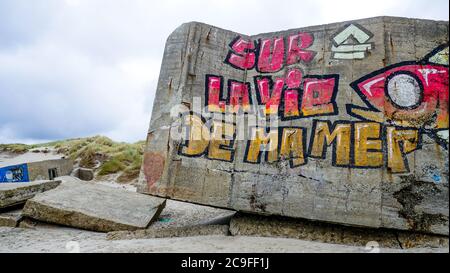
[67, 240]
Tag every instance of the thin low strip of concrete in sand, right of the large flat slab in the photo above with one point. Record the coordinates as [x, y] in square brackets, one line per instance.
[170, 232]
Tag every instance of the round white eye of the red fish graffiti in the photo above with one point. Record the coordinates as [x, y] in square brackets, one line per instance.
[404, 91]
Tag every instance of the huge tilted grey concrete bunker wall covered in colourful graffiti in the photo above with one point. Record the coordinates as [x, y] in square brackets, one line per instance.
[360, 122]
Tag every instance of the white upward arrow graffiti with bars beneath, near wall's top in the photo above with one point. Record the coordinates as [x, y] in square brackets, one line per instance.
[351, 43]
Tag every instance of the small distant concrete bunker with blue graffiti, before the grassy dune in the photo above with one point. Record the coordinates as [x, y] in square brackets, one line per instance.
[31, 167]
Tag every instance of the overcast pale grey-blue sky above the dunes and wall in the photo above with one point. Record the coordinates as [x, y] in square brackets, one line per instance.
[76, 68]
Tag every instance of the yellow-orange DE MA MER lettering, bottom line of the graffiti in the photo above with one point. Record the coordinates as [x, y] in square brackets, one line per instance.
[354, 144]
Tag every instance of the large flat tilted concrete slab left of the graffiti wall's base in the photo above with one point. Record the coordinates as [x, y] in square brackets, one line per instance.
[94, 207]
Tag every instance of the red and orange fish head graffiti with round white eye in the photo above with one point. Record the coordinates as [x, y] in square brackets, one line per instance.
[412, 94]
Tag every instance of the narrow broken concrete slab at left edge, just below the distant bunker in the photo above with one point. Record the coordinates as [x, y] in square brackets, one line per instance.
[12, 194]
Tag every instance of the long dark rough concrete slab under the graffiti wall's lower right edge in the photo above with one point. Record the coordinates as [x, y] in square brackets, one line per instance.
[275, 226]
